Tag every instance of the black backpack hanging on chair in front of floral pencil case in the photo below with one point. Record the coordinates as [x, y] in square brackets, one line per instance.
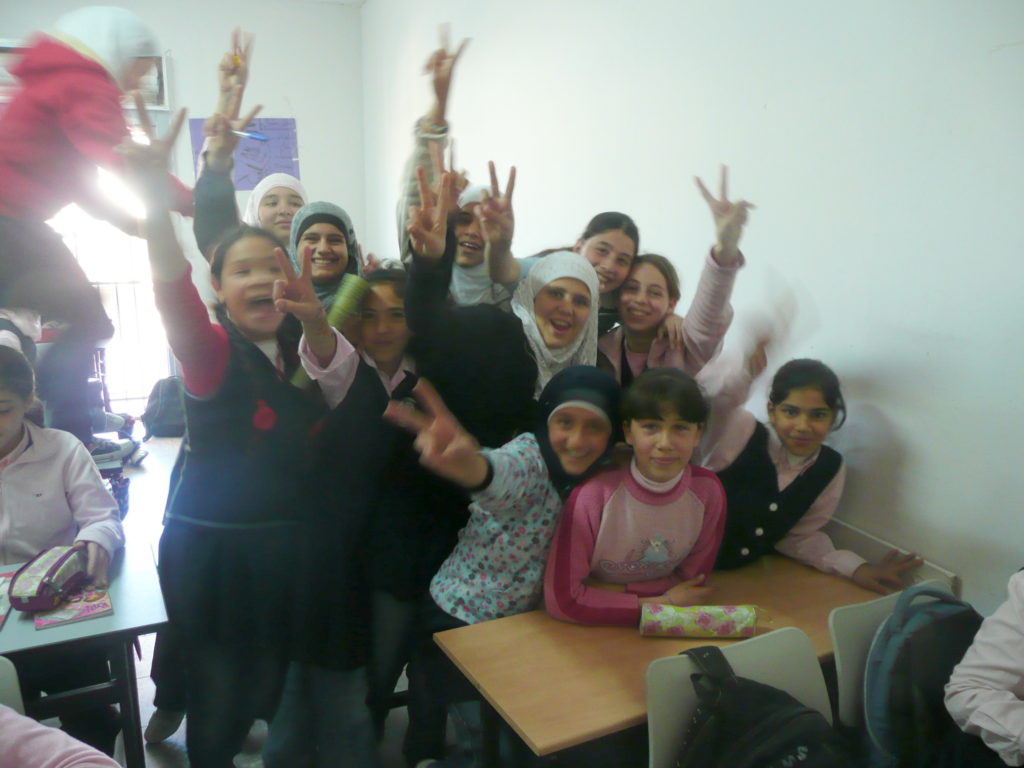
[741, 723]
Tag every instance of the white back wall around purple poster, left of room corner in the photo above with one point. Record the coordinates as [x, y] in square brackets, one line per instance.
[307, 66]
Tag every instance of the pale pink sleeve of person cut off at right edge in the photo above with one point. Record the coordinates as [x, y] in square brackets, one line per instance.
[984, 695]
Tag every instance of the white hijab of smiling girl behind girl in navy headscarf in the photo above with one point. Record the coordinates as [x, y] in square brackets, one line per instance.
[583, 350]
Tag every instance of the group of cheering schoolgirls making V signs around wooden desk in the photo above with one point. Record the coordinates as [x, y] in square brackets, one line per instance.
[312, 546]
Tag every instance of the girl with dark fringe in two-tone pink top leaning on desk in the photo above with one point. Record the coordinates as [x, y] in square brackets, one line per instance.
[653, 529]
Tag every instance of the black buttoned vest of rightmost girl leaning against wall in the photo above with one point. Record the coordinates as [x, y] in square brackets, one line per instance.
[759, 515]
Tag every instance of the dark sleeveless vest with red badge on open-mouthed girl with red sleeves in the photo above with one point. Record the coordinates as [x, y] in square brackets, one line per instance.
[246, 459]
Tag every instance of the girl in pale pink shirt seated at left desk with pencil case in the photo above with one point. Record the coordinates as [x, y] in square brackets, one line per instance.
[54, 495]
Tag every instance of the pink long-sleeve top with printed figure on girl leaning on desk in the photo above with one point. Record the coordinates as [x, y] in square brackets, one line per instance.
[620, 529]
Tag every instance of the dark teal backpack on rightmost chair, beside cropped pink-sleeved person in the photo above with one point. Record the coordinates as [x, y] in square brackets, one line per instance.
[910, 662]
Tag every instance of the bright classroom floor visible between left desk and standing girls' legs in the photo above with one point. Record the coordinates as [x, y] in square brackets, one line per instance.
[148, 493]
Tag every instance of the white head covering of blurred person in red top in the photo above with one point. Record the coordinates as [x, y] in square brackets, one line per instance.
[114, 37]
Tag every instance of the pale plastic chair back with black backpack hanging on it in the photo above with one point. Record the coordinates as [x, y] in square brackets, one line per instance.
[785, 659]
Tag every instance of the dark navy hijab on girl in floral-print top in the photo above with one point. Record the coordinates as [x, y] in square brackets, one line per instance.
[578, 383]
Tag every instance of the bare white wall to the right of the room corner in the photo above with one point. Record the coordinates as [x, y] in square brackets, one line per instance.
[884, 145]
